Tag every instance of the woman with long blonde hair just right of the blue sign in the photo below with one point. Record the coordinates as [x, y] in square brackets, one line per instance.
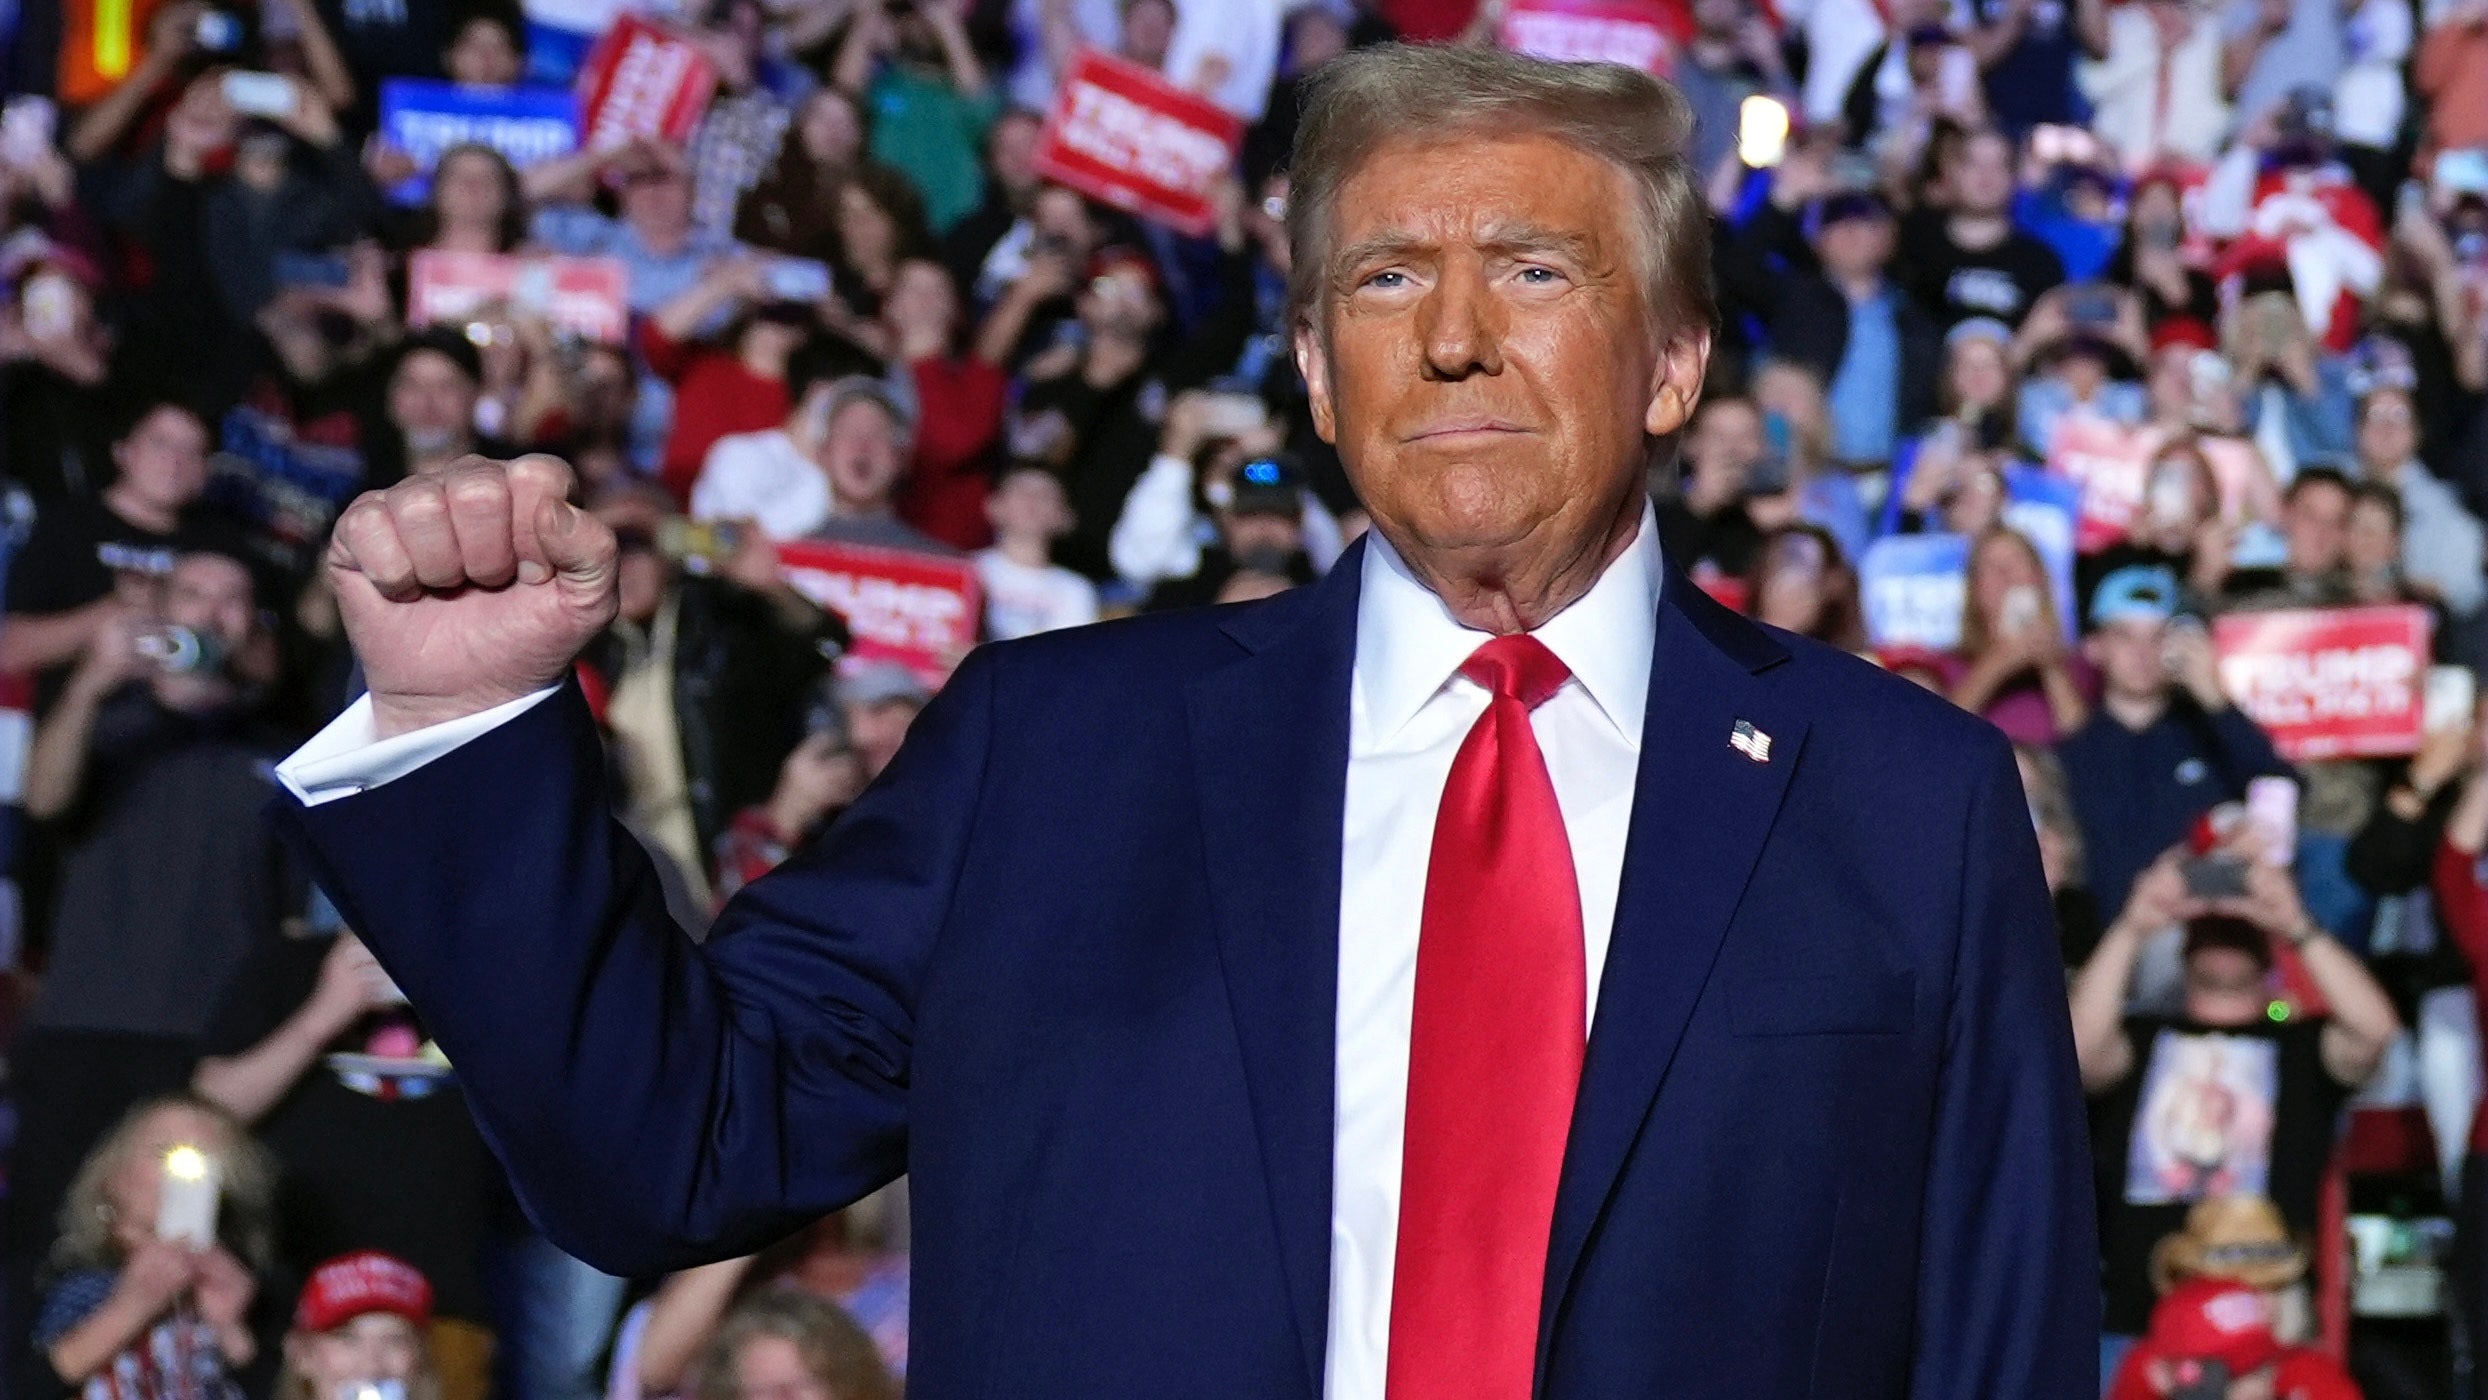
[2014, 665]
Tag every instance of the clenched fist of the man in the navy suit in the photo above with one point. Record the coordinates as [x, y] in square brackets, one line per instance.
[469, 588]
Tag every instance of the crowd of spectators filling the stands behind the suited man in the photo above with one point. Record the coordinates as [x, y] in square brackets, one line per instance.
[1957, 245]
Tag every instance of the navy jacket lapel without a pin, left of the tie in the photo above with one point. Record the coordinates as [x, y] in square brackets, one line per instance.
[1270, 750]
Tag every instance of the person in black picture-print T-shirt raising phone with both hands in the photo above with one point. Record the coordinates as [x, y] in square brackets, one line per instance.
[2233, 1090]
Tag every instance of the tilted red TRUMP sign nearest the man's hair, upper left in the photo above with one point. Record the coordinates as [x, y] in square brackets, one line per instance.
[1131, 138]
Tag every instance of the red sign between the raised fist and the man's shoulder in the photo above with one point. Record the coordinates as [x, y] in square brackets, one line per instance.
[919, 610]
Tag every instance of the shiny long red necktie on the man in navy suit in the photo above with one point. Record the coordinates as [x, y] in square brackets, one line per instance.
[1494, 1053]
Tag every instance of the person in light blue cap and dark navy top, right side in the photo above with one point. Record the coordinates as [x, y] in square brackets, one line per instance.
[2163, 745]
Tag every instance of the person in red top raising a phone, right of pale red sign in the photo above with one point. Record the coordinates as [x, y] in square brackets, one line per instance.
[735, 384]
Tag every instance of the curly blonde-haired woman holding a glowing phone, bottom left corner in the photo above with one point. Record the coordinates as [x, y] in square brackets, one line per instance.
[138, 1317]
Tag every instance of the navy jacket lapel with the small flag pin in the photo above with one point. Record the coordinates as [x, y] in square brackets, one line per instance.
[1701, 814]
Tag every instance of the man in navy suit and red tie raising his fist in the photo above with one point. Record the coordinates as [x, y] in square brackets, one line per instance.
[1494, 971]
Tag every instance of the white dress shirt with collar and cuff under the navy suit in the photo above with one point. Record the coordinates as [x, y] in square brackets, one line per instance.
[1409, 710]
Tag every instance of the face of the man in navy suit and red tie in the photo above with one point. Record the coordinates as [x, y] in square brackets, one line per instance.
[1482, 349]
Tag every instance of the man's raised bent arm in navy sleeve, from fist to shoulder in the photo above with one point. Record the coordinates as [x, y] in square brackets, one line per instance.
[763, 1071]
